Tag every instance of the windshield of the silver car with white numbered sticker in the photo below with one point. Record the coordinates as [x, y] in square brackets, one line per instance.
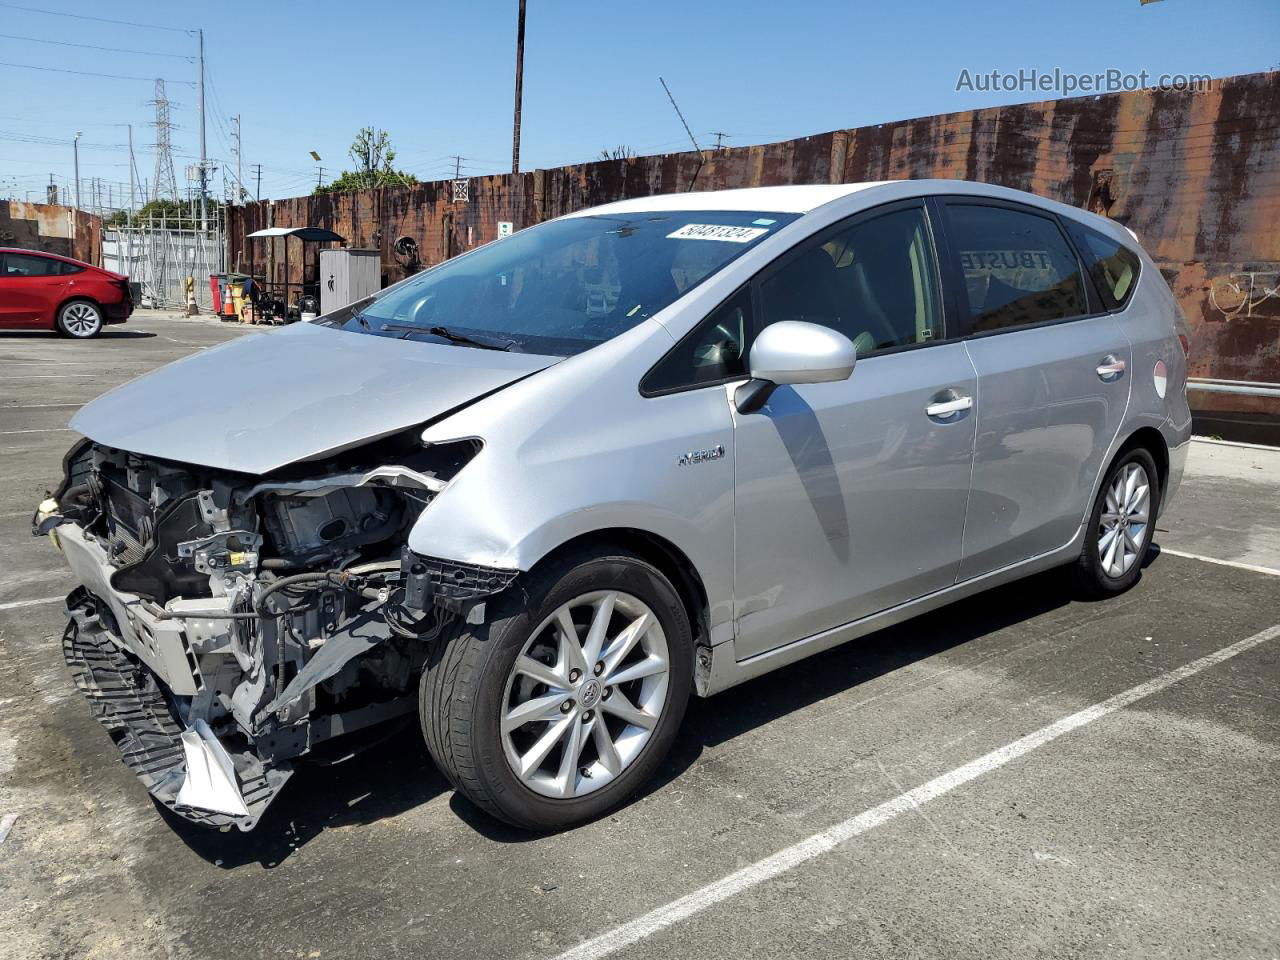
[565, 286]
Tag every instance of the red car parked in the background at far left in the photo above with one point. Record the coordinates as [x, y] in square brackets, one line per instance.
[48, 292]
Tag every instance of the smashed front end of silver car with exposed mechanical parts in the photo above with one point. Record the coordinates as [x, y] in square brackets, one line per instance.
[227, 625]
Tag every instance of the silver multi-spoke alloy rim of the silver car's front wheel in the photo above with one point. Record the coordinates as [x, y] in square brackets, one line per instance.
[586, 694]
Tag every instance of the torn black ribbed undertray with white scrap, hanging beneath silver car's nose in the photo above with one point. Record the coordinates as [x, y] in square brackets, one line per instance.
[131, 705]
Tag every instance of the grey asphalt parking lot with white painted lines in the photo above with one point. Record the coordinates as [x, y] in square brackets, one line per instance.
[1020, 775]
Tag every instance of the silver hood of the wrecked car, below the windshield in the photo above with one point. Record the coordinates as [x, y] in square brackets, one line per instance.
[267, 400]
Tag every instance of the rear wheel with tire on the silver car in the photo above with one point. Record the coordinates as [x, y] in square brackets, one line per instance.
[1117, 542]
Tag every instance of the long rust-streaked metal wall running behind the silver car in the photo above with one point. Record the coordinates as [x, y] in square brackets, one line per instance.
[1197, 176]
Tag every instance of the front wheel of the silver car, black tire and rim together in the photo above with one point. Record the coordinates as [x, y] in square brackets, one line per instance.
[472, 682]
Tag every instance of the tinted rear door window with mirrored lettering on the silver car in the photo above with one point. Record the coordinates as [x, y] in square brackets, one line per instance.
[1018, 268]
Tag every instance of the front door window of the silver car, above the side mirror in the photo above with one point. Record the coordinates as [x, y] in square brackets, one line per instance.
[875, 282]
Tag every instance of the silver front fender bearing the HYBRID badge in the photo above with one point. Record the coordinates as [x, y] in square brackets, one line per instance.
[573, 452]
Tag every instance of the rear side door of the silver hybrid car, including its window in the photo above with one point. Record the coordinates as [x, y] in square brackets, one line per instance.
[1053, 380]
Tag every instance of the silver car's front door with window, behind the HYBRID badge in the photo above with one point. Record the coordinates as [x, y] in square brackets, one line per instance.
[851, 497]
